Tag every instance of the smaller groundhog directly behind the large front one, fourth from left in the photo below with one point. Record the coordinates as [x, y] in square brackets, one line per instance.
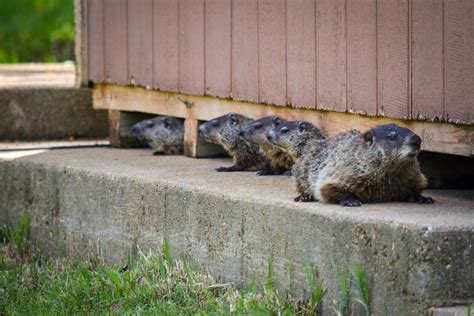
[299, 140]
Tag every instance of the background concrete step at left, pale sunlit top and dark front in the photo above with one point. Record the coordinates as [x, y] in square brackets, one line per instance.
[40, 101]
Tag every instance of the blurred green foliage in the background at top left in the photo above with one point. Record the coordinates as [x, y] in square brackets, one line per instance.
[36, 31]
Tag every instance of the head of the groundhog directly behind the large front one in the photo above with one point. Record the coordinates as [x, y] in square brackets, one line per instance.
[292, 135]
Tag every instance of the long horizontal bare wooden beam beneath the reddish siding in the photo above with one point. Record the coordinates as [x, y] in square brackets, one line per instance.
[447, 138]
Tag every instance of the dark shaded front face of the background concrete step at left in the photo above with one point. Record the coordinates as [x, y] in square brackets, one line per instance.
[49, 113]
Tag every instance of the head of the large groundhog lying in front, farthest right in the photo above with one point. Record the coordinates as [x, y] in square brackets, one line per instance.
[395, 142]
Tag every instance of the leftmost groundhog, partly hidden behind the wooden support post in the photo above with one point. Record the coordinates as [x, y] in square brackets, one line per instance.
[165, 134]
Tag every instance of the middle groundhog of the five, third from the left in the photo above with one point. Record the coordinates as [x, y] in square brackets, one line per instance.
[255, 133]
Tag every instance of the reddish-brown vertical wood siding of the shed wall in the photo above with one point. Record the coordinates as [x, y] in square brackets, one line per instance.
[398, 58]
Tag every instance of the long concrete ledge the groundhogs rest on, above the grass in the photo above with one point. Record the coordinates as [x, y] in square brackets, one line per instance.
[416, 256]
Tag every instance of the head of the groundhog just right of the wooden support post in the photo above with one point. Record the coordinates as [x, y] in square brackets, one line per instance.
[221, 127]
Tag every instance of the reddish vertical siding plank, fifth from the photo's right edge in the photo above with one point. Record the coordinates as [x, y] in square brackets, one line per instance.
[331, 54]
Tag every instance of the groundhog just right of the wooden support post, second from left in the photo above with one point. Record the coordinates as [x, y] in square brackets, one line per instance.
[225, 131]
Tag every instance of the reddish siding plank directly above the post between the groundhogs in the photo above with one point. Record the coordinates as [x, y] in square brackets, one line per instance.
[191, 46]
